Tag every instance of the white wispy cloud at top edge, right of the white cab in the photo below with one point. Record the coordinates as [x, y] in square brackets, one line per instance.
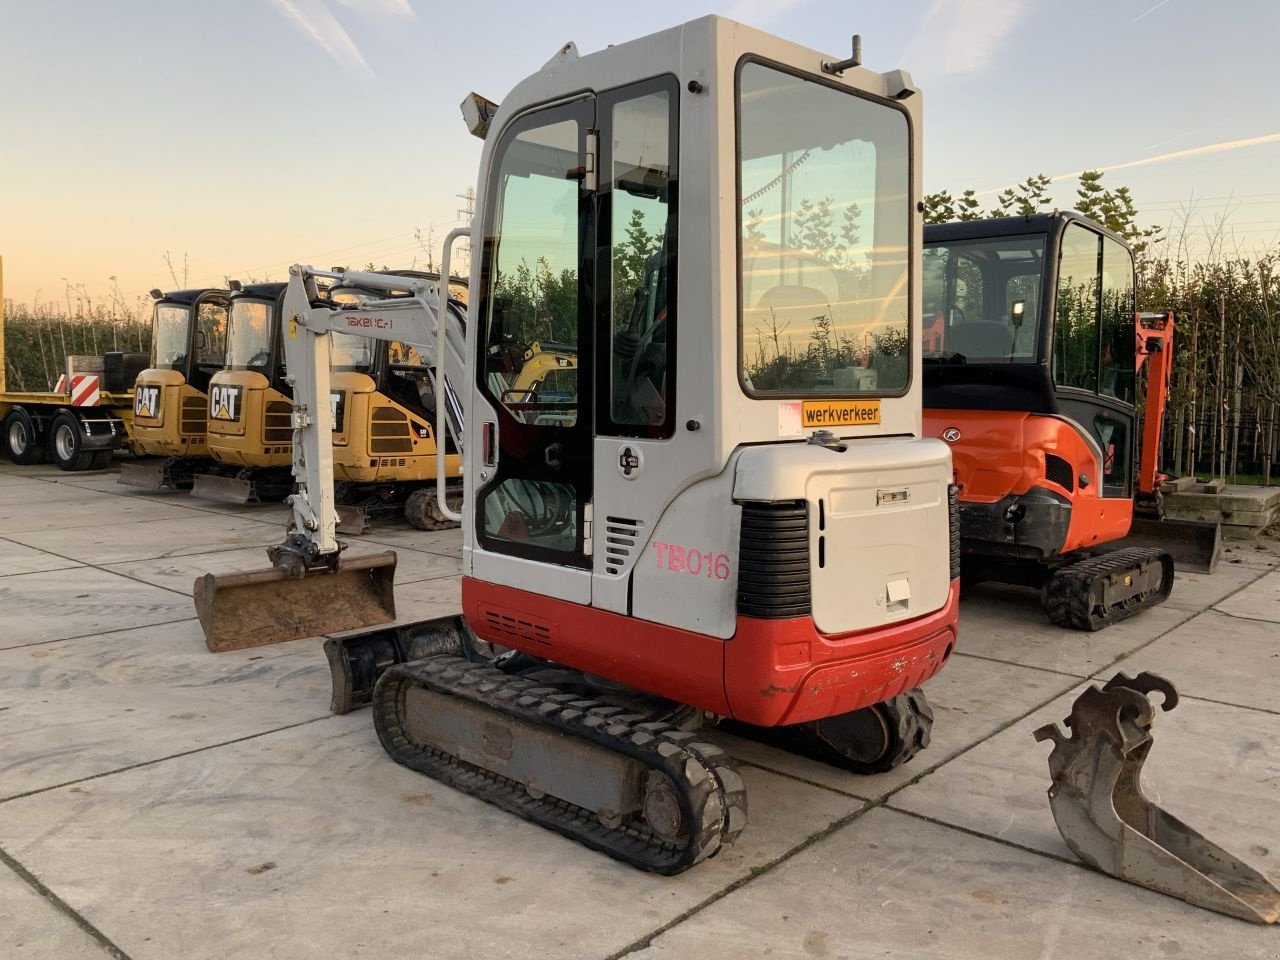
[961, 36]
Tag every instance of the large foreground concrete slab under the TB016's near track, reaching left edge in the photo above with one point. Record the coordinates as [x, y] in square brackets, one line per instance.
[310, 844]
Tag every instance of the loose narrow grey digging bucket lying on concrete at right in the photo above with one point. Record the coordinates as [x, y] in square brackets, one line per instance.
[1105, 819]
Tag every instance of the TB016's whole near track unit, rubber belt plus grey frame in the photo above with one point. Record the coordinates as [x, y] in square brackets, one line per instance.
[628, 785]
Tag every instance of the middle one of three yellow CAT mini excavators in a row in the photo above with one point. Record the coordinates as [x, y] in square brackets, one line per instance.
[250, 404]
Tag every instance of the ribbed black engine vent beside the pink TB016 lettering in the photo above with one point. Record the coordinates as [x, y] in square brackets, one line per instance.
[774, 561]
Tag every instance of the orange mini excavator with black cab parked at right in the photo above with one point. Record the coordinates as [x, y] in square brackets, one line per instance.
[1032, 348]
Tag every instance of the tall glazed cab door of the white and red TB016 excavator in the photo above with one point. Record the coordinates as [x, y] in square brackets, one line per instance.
[532, 508]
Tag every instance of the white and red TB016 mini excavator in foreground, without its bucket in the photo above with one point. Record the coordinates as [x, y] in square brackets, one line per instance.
[725, 509]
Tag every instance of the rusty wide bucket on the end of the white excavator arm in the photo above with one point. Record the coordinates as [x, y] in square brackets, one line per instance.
[269, 607]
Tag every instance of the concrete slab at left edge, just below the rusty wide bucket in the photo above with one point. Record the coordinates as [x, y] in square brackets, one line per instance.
[88, 707]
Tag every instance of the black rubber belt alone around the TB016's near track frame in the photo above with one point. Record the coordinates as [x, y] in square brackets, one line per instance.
[711, 790]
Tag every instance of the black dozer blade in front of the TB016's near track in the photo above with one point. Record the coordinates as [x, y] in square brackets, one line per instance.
[358, 661]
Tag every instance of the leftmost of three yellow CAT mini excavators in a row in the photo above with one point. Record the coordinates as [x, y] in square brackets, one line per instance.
[171, 397]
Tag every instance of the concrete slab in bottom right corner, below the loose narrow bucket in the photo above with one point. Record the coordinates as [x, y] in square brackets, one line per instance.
[894, 886]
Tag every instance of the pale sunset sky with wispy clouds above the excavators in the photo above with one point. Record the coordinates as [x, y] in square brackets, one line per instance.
[246, 135]
